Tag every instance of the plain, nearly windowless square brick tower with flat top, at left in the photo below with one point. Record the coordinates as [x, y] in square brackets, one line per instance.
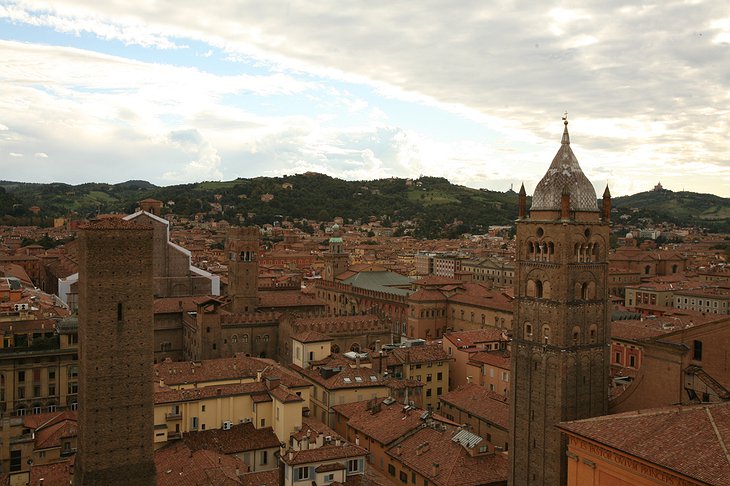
[116, 352]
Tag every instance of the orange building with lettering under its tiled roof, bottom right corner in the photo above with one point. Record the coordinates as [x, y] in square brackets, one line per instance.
[682, 445]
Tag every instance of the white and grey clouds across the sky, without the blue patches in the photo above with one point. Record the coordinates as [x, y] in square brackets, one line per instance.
[645, 84]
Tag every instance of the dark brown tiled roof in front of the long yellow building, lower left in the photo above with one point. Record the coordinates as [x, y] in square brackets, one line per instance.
[240, 438]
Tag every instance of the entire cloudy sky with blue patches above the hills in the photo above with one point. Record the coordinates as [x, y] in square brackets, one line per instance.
[182, 91]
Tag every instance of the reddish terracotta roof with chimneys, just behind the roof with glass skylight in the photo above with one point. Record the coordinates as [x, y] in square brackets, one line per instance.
[383, 423]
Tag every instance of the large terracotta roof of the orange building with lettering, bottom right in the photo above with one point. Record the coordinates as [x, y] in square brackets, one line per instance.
[690, 440]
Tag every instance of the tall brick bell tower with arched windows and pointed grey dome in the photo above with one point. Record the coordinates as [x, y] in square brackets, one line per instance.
[560, 347]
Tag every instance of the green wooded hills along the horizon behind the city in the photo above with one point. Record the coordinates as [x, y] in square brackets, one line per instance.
[433, 204]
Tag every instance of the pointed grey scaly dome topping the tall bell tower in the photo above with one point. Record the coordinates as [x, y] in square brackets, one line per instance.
[564, 174]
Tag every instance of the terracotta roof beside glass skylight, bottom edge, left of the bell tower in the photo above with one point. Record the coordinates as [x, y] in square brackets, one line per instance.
[456, 467]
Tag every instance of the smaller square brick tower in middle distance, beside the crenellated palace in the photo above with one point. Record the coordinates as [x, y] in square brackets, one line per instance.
[243, 268]
